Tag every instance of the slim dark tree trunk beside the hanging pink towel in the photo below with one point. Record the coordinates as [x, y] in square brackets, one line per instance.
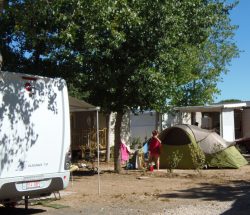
[117, 154]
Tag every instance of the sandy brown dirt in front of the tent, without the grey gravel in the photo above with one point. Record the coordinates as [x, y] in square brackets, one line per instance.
[150, 191]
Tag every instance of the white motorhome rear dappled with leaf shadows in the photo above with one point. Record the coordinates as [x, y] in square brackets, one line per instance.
[34, 136]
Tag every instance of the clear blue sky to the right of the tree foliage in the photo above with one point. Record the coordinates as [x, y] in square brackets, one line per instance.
[236, 83]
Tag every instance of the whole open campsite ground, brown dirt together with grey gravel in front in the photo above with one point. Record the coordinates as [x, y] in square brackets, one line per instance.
[211, 191]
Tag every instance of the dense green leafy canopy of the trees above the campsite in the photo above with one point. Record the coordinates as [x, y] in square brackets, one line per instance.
[122, 54]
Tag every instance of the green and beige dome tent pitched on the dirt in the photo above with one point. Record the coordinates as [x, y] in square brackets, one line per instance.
[186, 146]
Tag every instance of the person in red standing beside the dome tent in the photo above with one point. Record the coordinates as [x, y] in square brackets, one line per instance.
[154, 149]
